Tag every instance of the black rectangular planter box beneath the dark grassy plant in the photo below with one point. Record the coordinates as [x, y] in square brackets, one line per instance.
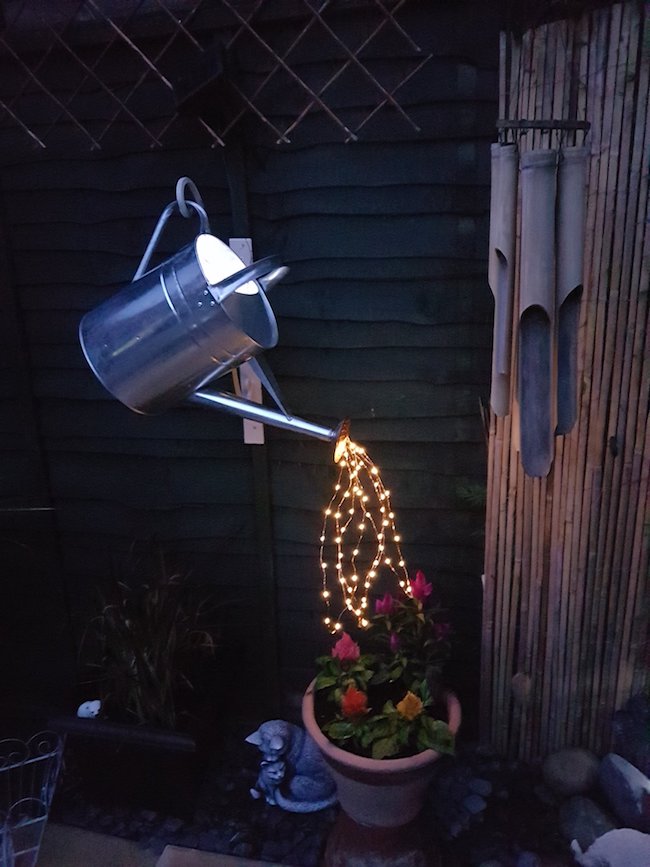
[120, 764]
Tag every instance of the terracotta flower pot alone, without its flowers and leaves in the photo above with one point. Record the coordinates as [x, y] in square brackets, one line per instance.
[383, 793]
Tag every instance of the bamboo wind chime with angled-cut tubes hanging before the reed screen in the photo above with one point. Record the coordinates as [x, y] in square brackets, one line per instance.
[551, 184]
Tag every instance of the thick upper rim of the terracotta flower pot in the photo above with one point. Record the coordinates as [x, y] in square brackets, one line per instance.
[336, 754]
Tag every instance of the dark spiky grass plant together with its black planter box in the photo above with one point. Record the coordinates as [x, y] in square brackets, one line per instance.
[148, 657]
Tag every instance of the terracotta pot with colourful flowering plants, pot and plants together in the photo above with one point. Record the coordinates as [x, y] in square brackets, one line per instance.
[378, 711]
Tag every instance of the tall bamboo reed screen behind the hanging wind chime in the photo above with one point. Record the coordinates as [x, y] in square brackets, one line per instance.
[566, 561]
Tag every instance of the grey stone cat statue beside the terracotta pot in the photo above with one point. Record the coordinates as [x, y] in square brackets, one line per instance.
[292, 772]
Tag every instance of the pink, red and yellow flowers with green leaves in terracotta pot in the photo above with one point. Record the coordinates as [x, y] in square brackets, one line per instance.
[378, 696]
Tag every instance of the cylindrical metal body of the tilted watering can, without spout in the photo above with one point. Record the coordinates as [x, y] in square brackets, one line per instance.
[168, 333]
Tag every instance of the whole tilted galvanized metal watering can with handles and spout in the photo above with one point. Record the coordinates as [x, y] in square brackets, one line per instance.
[176, 327]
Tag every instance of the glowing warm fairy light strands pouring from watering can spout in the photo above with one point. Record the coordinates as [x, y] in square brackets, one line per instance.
[359, 538]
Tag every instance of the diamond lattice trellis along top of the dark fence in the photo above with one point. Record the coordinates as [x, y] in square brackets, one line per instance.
[94, 65]
